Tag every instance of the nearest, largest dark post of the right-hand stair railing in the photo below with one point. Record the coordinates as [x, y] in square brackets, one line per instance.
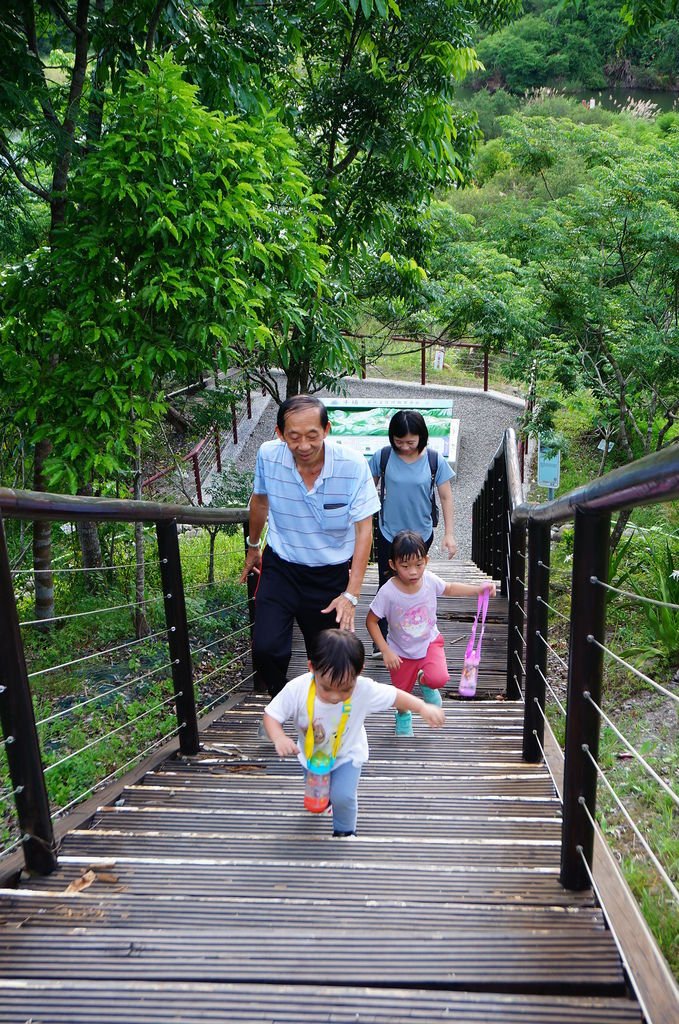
[590, 559]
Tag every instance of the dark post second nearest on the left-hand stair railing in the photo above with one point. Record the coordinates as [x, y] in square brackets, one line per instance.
[176, 617]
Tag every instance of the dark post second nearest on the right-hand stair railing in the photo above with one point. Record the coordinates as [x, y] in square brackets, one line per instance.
[536, 634]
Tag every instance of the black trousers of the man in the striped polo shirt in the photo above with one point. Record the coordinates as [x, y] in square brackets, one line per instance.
[287, 592]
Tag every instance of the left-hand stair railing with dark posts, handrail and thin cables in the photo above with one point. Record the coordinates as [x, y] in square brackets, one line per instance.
[53, 743]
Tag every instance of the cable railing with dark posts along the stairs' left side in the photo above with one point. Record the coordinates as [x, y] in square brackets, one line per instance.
[132, 701]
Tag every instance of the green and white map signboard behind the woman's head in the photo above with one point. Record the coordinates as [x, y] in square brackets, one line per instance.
[365, 426]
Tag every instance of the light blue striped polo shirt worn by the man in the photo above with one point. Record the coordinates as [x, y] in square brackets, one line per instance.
[315, 528]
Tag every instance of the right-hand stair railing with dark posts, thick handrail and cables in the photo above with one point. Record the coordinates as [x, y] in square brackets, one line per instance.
[512, 541]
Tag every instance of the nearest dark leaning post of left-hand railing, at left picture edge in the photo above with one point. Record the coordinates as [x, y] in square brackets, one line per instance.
[19, 726]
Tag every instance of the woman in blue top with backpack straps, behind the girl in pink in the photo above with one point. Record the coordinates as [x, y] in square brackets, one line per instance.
[409, 475]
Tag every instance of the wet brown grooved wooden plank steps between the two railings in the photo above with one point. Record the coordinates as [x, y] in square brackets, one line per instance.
[214, 897]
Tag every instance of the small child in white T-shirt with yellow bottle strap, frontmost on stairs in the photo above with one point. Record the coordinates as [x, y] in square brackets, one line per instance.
[342, 699]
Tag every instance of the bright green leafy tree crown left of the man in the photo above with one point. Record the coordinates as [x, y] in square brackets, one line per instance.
[188, 232]
